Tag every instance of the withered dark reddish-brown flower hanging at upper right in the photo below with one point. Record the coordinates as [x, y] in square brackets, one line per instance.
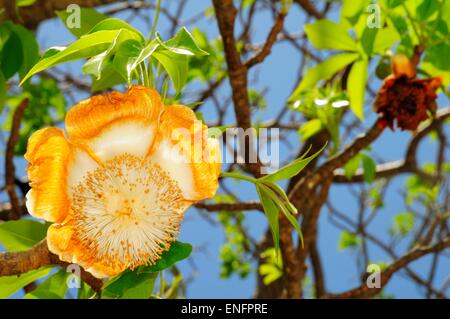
[405, 98]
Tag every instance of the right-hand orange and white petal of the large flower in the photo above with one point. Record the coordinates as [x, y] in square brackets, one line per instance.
[183, 149]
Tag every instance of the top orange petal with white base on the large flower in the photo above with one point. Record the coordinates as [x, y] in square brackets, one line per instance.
[116, 123]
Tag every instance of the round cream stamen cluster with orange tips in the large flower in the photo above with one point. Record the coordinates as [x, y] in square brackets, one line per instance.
[127, 211]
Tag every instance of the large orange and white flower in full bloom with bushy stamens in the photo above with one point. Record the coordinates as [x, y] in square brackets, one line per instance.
[116, 188]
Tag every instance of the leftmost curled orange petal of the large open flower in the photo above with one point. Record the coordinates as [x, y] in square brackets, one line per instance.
[48, 153]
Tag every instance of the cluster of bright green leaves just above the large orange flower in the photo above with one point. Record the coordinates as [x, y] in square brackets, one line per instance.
[117, 53]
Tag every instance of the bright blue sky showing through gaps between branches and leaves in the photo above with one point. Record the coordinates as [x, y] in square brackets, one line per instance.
[279, 75]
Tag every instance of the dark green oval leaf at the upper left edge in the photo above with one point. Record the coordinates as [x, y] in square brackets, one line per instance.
[11, 56]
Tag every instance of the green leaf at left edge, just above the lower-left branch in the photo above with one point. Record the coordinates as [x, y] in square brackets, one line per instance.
[21, 234]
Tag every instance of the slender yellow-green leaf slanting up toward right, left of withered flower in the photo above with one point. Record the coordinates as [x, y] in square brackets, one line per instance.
[323, 71]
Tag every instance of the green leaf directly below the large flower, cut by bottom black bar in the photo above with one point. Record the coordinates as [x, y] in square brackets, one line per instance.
[130, 285]
